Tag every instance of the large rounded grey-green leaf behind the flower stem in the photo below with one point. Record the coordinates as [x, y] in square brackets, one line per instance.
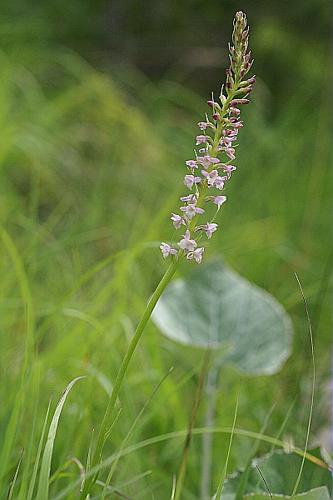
[216, 308]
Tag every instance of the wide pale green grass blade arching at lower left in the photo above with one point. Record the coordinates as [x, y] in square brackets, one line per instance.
[43, 485]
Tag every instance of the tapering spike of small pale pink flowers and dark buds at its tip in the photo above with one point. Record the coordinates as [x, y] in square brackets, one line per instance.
[216, 147]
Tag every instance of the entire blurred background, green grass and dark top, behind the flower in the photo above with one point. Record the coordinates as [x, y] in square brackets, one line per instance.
[98, 109]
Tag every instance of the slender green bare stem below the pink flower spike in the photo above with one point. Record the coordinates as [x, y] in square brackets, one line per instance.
[109, 414]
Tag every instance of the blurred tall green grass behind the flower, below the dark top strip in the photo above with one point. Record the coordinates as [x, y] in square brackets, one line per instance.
[90, 165]
